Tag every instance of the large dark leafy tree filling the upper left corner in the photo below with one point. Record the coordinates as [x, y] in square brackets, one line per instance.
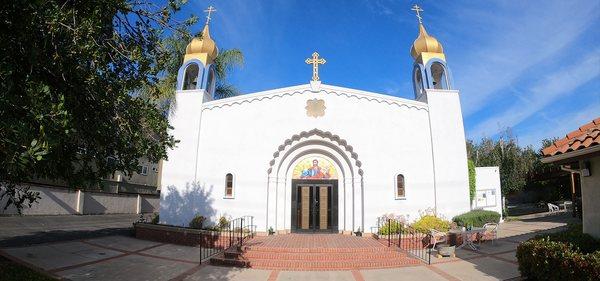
[69, 71]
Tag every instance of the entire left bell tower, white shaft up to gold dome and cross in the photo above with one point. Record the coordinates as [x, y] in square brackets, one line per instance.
[195, 85]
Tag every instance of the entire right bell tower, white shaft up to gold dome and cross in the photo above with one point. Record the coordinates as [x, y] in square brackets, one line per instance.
[433, 85]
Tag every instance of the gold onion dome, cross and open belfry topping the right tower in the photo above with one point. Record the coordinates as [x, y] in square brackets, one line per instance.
[430, 70]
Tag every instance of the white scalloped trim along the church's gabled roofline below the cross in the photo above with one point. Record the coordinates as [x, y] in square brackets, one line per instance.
[224, 103]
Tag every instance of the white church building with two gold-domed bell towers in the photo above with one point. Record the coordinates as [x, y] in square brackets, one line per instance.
[315, 157]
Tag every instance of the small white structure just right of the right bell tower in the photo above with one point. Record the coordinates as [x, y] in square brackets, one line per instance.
[489, 193]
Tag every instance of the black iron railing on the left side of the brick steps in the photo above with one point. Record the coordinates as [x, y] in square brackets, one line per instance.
[229, 236]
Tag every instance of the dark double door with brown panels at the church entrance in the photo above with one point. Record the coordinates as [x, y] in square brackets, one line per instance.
[314, 206]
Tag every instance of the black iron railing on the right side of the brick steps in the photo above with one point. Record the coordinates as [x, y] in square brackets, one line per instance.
[408, 239]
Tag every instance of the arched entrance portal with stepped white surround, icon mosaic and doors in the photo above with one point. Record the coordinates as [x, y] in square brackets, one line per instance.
[302, 197]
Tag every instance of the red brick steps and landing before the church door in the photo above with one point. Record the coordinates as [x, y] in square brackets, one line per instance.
[315, 252]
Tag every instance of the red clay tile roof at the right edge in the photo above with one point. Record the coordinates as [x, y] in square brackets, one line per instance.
[586, 136]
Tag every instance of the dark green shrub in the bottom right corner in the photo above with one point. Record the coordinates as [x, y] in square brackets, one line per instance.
[544, 259]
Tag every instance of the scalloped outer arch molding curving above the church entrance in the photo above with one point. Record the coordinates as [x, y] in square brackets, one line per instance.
[304, 136]
